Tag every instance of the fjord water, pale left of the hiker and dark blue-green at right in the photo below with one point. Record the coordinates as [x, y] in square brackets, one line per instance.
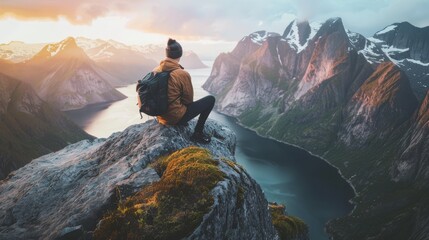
[310, 188]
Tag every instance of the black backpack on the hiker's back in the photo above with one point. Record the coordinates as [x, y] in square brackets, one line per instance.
[153, 93]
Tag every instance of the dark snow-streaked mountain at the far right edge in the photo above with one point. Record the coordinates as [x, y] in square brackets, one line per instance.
[408, 47]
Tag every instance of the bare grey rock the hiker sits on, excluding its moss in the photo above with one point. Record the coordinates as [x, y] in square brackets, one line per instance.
[67, 192]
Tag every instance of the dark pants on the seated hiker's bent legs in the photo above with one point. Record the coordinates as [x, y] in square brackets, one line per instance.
[202, 107]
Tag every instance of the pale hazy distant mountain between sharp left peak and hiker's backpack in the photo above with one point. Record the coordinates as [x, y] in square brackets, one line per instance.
[118, 60]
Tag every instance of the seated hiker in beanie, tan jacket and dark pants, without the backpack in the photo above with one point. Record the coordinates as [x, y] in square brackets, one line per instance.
[181, 106]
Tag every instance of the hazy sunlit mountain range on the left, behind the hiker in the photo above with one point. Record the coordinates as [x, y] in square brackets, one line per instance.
[37, 80]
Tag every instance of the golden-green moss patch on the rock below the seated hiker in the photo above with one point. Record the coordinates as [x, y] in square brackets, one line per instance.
[171, 208]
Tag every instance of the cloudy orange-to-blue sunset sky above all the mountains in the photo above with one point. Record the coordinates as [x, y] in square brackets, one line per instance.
[207, 24]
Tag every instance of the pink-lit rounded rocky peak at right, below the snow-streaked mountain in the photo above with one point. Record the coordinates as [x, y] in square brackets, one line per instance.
[378, 108]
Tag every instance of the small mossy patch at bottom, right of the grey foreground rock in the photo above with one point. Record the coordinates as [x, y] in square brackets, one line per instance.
[288, 227]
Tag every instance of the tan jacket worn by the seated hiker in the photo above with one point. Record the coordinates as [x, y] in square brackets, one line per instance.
[180, 91]
